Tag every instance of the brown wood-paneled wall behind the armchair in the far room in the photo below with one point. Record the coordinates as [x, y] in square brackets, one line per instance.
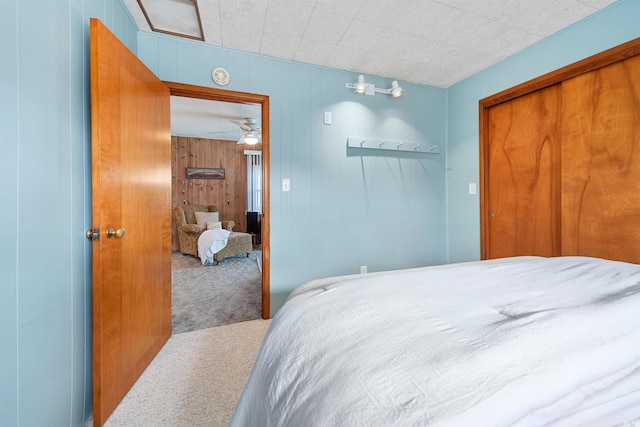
[229, 194]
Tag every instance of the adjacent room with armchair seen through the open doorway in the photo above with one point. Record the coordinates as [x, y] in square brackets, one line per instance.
[216, 173]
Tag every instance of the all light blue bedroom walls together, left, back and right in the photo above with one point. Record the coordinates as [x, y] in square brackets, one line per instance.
[344, 210]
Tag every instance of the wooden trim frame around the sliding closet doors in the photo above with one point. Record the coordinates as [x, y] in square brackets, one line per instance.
[602, 59]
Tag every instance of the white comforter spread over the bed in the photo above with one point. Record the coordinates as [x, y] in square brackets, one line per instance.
[527, 343]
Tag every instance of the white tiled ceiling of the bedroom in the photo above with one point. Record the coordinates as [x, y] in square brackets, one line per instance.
[432, 42]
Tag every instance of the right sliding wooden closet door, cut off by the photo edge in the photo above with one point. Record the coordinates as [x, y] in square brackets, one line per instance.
[601, 163]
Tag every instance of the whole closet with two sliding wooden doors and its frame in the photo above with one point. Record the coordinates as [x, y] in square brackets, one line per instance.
[560, 162]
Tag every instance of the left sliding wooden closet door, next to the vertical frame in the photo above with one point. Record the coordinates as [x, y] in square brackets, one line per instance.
[523, 175]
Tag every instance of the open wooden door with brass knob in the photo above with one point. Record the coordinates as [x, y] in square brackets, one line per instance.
[131, 189]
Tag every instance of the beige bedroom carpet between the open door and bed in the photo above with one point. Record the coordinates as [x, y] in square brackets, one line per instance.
[195, 380]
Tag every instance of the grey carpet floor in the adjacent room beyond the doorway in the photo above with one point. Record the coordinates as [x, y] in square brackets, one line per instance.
[214, 295]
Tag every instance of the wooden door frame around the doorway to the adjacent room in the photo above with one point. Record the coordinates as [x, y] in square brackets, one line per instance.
[213, 94]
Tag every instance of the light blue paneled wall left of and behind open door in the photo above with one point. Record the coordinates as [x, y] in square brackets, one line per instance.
[45, 277]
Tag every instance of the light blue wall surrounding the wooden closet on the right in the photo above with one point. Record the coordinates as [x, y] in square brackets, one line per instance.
[612, 26]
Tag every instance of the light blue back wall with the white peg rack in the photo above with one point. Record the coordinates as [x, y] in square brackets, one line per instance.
[344, 210]
